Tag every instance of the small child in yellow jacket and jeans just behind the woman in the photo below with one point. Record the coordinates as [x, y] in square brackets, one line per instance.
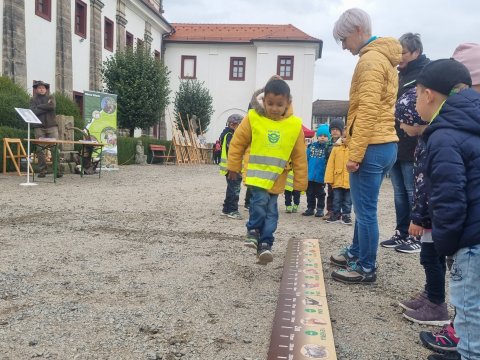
[337, 176]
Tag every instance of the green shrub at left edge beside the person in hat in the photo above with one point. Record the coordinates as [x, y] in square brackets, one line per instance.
[12, 96]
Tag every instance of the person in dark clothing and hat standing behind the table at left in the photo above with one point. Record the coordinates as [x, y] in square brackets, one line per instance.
[43, 105]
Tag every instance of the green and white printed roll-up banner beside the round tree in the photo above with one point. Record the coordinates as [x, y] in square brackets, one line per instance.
[100, 115]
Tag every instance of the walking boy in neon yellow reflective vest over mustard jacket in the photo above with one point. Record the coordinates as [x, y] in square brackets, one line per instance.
[275, 136]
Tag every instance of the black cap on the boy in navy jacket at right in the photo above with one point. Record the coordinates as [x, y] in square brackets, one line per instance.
[442, 75]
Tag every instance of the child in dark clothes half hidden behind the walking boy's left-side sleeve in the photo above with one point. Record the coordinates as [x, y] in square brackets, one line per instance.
[230, 205]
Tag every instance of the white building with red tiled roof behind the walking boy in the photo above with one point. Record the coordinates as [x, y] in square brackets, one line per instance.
[235, 60]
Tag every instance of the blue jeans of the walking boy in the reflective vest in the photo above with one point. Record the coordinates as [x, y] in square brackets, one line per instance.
[263, 214]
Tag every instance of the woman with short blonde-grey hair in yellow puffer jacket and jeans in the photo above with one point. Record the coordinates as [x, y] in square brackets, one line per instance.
[371, 137]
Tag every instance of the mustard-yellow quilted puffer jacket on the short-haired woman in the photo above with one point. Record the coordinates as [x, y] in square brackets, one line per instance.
[373, 93]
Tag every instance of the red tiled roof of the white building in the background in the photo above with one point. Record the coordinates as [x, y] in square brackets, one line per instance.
[237, 33]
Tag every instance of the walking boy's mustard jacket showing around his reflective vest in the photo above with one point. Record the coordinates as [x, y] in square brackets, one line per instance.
[240, 146]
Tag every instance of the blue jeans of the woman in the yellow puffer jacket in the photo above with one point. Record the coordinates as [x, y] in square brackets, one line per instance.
[364, 187]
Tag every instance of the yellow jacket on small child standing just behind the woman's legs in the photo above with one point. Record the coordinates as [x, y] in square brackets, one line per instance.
[336, 173]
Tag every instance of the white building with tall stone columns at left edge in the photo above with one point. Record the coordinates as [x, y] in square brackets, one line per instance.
[64, 42]
